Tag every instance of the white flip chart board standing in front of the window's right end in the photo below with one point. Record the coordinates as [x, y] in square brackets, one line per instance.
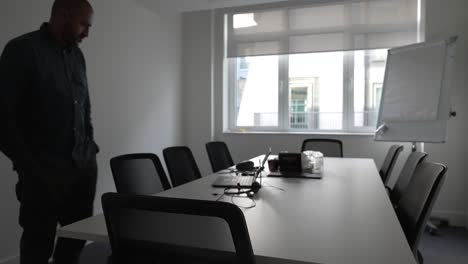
[415, 98]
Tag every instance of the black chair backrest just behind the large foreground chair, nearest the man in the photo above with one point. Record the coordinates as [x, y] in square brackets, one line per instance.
[139, 173]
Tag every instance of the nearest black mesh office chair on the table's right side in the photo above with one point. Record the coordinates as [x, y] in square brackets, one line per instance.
[416, 202]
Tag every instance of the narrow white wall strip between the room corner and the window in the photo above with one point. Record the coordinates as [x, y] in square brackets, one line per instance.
[197, 85]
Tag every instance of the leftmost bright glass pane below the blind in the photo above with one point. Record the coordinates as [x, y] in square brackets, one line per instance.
[256, 93]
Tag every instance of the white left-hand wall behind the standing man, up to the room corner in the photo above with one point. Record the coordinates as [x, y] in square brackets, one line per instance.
[134, 67]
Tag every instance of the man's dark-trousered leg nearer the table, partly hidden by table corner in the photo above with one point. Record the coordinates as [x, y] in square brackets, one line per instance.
[78, 206]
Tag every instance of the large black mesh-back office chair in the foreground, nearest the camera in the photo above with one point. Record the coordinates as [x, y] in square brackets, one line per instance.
[150, 229]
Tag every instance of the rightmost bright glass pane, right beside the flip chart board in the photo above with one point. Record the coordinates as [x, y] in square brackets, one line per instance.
[369, 70]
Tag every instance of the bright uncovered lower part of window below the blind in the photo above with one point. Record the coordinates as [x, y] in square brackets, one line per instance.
[312, 95]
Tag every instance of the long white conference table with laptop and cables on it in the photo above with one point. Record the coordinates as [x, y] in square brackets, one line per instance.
[345, 217]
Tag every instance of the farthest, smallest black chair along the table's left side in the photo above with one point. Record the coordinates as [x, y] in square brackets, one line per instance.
[219, 155]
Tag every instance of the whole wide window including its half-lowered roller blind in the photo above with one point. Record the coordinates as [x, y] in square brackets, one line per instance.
[315, 68]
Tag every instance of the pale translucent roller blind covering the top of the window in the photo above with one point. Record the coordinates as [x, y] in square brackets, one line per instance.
[320, 27]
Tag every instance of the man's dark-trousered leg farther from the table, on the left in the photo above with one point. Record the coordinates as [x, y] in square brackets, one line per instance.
[38, 218]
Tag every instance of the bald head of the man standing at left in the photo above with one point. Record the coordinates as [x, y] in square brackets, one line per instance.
[70, 20]
